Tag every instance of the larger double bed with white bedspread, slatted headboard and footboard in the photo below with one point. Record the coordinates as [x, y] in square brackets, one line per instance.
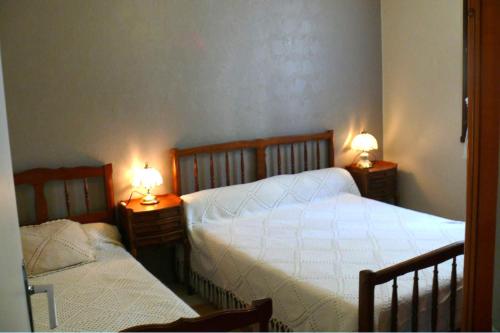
[309, 241]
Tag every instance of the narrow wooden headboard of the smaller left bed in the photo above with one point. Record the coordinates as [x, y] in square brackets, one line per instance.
[38, 178]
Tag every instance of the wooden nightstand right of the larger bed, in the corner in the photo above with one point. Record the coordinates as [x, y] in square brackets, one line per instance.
[378, 182]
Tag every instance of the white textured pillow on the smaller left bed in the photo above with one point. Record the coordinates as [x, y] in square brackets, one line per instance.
[55, 245]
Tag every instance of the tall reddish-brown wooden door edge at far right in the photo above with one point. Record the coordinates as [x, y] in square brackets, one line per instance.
[483, 79]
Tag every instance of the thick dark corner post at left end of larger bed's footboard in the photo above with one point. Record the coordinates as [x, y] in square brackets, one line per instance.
[366, 301]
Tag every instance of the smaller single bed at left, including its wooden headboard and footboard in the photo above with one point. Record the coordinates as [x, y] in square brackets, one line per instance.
[113, 292]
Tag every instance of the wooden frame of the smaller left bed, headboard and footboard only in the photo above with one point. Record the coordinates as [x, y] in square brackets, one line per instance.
[260, 311]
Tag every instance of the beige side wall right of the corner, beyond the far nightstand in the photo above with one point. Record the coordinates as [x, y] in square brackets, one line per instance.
[422, 94]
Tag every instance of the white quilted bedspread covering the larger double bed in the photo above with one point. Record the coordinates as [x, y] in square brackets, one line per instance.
[303, 239]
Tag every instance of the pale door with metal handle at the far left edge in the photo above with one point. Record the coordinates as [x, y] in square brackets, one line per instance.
[14, 313]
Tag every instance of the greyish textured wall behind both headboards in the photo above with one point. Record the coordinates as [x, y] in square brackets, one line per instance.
[91, 81]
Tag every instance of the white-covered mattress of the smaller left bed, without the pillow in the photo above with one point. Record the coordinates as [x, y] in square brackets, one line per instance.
[110, 294]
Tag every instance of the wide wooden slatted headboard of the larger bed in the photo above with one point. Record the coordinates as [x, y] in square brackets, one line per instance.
[271, 156]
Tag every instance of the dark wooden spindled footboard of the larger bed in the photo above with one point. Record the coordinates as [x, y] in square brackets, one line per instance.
[369, 279]
